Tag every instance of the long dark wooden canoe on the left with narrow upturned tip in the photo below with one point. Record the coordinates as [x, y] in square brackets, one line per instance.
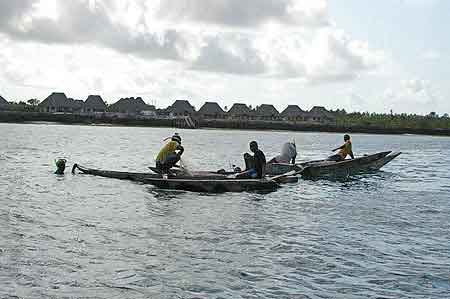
[198, 182]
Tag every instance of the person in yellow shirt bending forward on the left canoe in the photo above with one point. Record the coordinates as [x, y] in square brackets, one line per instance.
[170, 154]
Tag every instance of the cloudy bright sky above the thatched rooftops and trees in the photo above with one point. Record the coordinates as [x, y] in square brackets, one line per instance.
[357, 55]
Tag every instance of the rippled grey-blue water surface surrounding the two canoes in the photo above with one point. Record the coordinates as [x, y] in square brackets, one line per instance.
[380, 235]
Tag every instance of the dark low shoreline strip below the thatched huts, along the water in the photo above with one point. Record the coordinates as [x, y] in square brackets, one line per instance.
[251, 125]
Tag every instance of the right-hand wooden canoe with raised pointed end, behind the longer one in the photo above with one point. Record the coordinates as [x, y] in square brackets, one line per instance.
[326, 168]
